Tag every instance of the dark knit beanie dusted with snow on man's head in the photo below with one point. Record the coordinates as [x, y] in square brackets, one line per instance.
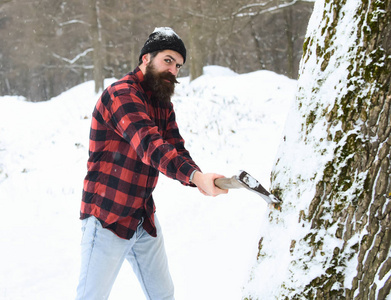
[164, 38]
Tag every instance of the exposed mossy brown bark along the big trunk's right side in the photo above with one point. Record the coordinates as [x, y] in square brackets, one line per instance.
[356, 182]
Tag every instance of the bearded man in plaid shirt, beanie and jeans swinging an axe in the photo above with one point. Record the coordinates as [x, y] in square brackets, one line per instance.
[133, 137]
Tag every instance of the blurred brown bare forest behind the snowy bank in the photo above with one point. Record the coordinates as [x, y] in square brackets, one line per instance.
[50, 46]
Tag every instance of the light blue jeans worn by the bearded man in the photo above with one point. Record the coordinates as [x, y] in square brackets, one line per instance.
[103, 252]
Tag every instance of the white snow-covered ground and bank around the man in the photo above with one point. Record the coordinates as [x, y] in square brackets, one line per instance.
[230, 122]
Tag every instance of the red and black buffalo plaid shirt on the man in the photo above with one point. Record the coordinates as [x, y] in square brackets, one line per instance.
[132, 139]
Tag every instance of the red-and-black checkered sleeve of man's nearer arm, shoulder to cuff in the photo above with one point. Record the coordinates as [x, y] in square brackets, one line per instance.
[131, 120]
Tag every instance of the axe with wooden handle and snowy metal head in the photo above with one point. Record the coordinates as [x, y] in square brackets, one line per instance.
[245, 180]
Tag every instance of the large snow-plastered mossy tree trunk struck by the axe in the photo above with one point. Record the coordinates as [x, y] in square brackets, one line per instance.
[331, 239]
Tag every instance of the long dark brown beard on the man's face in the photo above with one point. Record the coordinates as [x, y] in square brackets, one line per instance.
[161, 84]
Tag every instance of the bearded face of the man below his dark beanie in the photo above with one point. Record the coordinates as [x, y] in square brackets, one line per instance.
[161, 72]
